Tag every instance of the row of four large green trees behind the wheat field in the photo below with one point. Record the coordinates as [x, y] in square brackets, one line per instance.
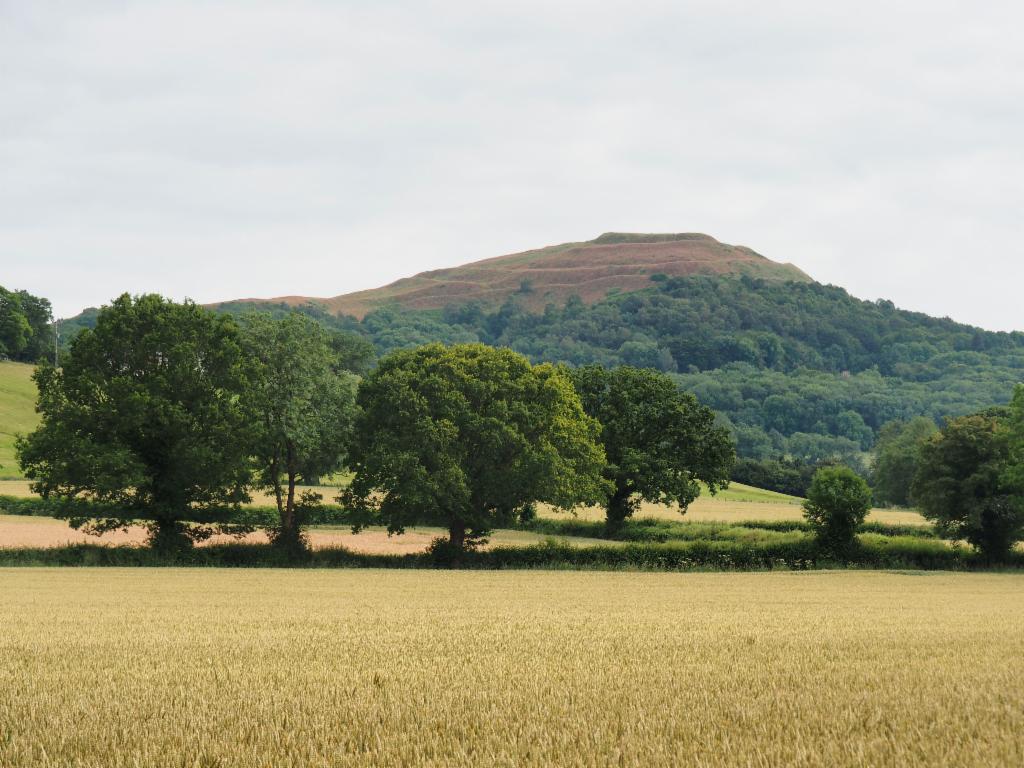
[173, 414]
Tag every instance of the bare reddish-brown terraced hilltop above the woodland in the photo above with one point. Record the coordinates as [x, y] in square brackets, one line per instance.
[613, 263]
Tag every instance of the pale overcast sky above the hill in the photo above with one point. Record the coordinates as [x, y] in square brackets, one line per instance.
[228, 150]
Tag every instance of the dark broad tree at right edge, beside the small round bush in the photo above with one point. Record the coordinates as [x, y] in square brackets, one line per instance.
[966, 485]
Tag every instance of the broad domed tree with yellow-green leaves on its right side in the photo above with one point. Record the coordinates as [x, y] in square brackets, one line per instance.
[468, 437]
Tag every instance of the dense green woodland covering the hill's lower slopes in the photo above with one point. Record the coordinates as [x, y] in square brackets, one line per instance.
[797, 371]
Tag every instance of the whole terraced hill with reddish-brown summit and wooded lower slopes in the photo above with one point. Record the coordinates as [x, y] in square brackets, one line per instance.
[796, 369]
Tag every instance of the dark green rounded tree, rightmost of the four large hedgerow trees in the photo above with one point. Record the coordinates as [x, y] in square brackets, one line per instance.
[660, 443]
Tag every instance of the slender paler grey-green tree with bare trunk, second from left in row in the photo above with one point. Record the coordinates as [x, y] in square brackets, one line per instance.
[302, 412]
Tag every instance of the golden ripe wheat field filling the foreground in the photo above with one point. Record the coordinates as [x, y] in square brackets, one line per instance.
[283, 668]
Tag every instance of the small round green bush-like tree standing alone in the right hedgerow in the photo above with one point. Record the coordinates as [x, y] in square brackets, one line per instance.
[838, 502]
